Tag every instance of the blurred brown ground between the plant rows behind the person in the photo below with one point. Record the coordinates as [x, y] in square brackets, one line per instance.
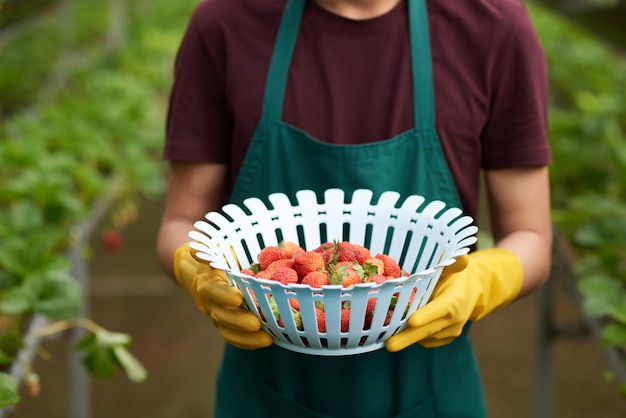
[178, 346]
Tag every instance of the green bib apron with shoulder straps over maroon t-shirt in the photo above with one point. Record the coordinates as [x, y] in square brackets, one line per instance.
[416, 382]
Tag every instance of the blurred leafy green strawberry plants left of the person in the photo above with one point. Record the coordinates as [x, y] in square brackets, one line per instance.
[65, 146]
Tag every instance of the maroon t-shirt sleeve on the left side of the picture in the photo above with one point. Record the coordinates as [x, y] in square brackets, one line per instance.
[198, 126]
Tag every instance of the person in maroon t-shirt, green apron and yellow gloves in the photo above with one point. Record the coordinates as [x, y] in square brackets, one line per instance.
[416, 96]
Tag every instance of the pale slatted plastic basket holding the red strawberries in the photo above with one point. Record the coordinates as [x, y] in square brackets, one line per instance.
[423, 237]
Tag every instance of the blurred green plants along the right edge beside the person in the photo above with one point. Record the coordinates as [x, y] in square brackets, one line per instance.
[587, 130]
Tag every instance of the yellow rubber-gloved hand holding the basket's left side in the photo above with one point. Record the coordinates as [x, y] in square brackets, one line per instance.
[219, 299]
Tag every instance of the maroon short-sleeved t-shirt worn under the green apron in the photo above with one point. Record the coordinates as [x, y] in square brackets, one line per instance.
[350, 82]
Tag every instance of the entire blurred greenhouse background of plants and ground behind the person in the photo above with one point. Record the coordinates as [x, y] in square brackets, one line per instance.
[83, 90]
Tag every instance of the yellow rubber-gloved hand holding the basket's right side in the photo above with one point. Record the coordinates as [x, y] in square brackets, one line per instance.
[468, 290]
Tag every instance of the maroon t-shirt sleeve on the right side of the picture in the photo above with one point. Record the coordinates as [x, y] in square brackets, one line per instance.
[516, 131]
